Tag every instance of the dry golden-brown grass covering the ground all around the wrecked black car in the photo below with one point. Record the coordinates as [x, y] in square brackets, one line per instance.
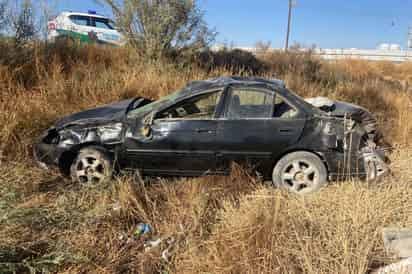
[221, 224]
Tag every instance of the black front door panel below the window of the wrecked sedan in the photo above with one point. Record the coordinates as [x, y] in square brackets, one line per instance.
[175, 147]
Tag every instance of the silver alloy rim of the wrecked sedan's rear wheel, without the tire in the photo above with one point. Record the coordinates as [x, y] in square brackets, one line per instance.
[300, 176]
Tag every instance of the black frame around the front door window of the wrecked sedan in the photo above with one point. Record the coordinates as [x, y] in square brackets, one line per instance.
[217, 113]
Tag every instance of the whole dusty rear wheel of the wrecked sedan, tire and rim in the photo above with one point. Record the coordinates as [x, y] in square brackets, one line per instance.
[300, 172]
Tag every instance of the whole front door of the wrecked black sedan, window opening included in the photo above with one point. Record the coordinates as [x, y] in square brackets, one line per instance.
[182, 138]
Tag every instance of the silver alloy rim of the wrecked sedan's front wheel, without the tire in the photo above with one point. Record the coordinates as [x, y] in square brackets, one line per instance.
[90, 170]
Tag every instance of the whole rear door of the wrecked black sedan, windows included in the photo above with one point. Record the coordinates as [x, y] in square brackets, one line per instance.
[257, 126]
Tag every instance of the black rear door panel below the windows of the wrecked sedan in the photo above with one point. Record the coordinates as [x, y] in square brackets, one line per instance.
[256, 142]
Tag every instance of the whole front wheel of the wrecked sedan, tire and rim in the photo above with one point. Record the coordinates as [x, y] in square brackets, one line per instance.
[92, 166]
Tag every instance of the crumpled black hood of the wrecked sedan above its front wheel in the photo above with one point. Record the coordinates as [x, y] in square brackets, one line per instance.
[111, 112]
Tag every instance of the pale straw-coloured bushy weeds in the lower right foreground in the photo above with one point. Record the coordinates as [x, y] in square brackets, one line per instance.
[336, 231]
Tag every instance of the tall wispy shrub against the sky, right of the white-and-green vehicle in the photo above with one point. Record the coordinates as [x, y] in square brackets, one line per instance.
[162, 28]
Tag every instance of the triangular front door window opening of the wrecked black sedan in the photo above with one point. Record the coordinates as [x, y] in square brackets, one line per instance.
[199, 107]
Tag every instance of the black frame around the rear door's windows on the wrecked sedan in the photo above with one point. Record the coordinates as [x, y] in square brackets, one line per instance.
[298, 115]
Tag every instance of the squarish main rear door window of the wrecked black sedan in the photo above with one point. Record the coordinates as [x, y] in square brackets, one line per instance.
[249, 103]
